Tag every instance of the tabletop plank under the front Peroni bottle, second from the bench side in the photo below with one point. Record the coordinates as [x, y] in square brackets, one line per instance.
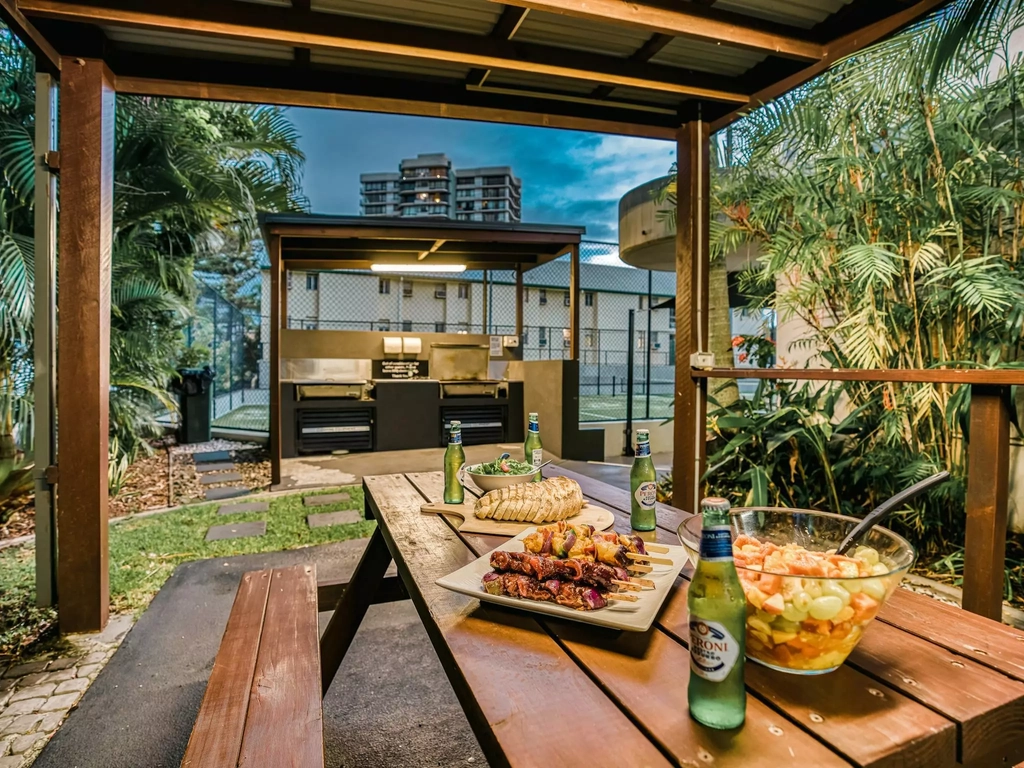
[647, 675]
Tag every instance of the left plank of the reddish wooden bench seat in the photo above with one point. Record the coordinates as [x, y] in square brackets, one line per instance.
[217, 738]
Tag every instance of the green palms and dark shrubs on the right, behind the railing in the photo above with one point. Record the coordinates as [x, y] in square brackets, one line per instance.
[892, 204]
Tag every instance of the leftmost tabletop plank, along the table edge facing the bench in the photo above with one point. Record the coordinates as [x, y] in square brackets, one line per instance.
[509, 674]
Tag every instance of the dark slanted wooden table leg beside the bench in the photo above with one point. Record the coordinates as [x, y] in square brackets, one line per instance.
[353, 608]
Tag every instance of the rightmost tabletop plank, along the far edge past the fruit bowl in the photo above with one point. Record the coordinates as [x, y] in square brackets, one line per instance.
[990, 644]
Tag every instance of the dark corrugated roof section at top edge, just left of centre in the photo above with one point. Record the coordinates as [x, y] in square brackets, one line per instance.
[465, 16]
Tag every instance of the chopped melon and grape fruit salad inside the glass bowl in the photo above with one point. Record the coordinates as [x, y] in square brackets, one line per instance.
[806, 611]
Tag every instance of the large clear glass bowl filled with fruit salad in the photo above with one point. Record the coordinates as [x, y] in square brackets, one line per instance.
[807, 608]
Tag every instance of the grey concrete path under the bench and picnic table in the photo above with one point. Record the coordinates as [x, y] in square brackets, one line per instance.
[391, 706]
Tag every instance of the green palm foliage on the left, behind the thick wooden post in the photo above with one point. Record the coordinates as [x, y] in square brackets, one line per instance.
[190, 180]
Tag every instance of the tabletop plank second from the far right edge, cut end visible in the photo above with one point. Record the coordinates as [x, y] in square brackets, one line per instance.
[988, 707]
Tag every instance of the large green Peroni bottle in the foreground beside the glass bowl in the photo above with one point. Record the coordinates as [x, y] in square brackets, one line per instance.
[718, 618]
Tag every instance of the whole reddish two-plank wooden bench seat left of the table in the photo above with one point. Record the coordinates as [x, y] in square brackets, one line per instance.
[263, 705]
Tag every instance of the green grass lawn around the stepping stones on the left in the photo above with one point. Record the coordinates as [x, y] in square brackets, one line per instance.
[145, 551]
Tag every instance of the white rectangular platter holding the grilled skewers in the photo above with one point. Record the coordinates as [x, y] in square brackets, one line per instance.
[632, 617]
